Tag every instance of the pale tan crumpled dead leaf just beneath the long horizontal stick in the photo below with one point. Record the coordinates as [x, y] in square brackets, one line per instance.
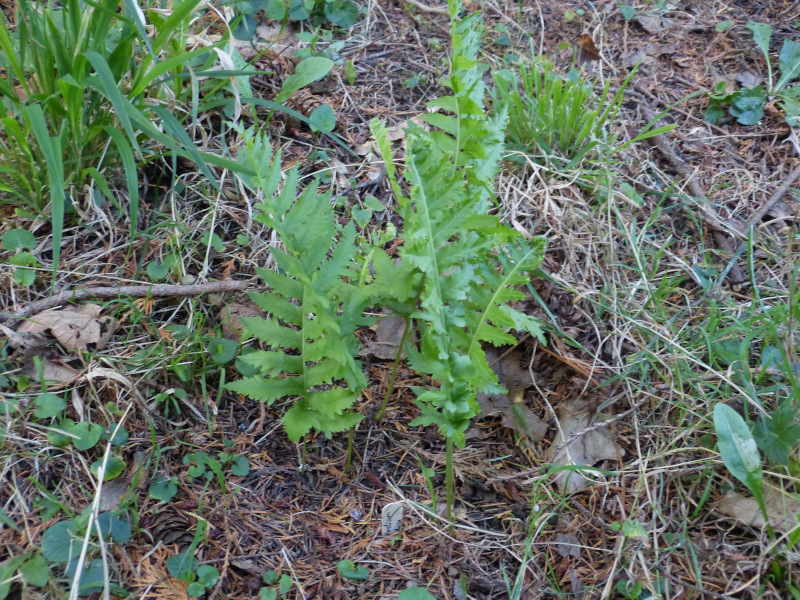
[74, 327]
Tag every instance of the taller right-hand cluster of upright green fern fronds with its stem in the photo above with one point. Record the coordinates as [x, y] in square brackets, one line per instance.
[456, 246]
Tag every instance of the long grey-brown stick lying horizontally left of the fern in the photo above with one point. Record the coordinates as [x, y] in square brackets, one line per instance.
[156, 290]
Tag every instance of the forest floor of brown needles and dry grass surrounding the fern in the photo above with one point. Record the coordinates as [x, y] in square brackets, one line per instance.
[637, 293]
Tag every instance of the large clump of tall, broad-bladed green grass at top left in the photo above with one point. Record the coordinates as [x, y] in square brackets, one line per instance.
[80, 94]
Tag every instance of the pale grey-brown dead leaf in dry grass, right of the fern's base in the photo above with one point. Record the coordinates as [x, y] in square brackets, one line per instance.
[574, 445]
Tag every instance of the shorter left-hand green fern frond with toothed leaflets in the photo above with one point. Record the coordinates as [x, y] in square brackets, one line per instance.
[313, 310]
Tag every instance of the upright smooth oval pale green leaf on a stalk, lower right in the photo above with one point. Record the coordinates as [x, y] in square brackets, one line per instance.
[739, 451]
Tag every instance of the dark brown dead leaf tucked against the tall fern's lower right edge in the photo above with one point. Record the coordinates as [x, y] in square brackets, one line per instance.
[511, 407]
